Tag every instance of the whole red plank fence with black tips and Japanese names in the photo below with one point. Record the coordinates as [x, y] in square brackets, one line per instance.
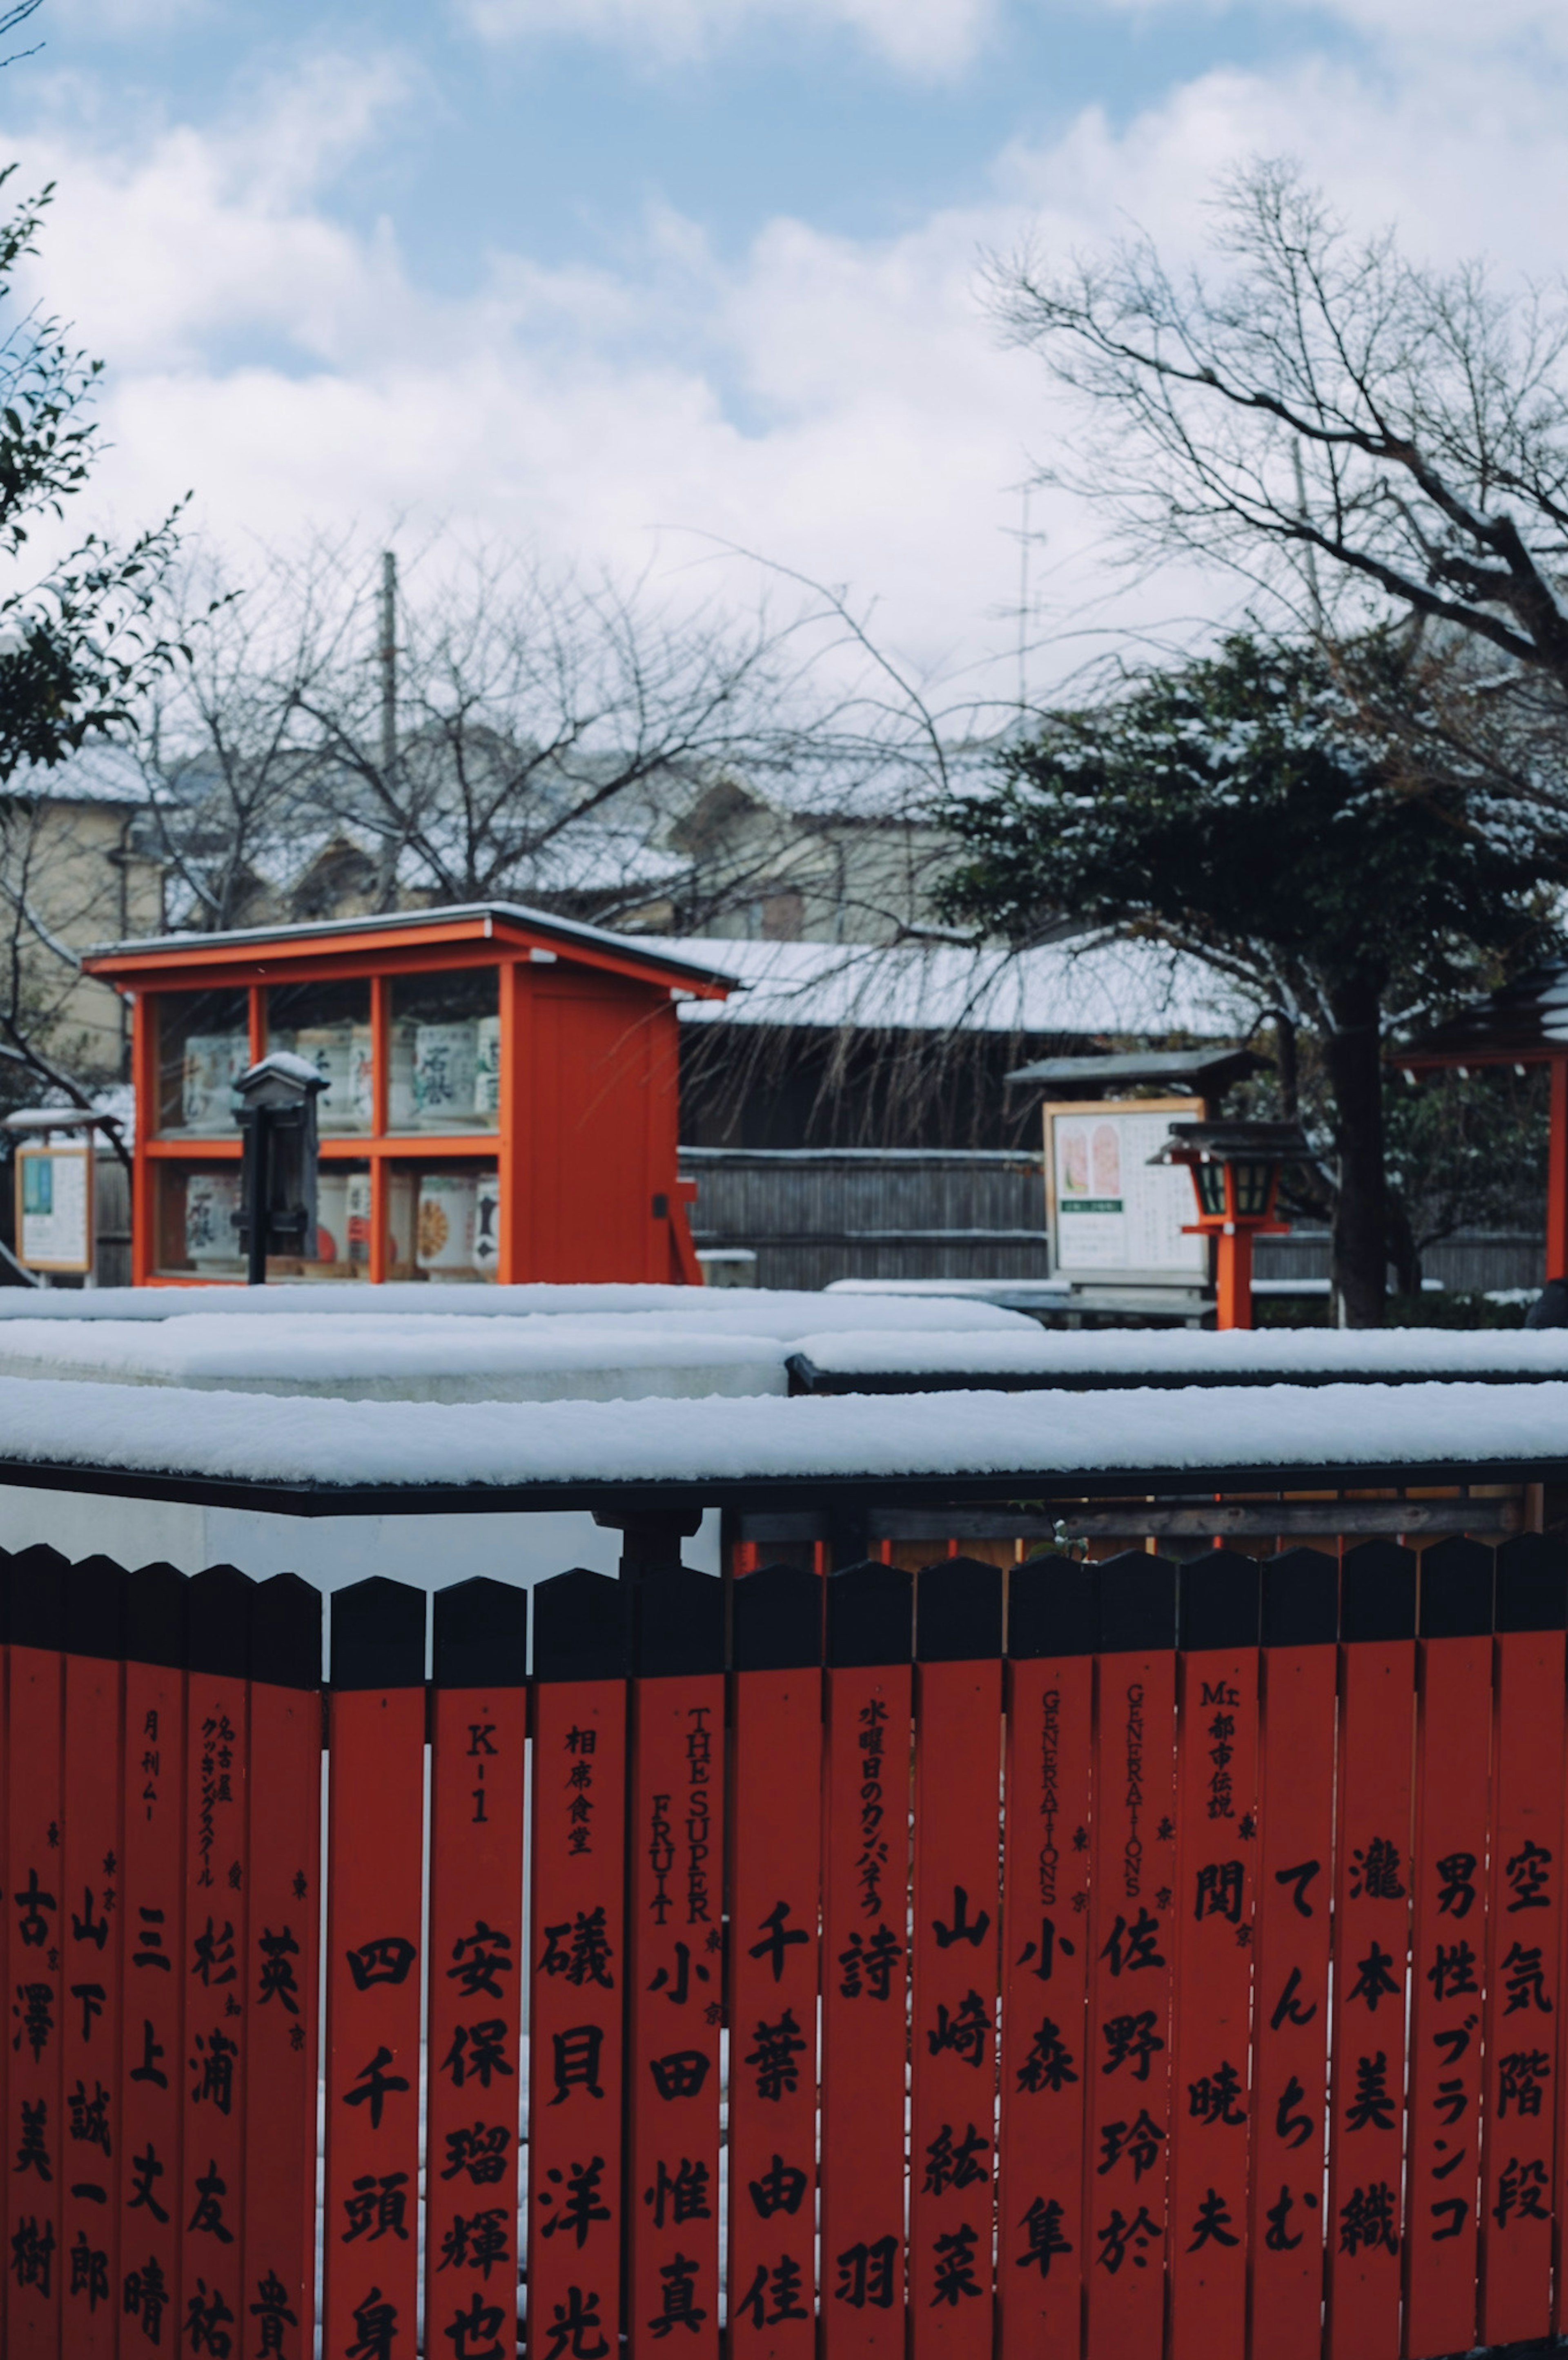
[1100, 1960]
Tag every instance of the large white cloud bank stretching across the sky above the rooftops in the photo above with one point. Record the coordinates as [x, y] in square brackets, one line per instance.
[836, 405]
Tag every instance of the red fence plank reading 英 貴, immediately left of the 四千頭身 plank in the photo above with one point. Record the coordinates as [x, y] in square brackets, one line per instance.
[284, 1965]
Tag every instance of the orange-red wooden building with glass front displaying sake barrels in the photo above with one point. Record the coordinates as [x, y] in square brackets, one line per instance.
[501, 1103]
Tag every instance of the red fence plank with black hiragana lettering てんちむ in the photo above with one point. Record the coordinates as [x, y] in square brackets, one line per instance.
[1293, 1953]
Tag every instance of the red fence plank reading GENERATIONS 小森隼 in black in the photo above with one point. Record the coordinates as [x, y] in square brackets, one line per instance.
[1053, 1630]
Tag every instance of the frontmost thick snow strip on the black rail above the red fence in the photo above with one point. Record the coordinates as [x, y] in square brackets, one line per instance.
[428, 1450]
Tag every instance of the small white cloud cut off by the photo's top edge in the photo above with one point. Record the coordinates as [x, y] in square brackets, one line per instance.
[918, 37]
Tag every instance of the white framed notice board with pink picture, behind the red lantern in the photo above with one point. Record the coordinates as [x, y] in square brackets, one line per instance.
[1109, 1212]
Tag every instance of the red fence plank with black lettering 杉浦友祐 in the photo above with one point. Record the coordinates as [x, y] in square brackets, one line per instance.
[216, 2047]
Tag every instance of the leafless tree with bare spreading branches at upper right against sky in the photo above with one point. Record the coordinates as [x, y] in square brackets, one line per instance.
[1324, 414]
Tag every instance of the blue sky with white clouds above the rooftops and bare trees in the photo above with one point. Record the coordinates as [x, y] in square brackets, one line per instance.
[614, 275]
